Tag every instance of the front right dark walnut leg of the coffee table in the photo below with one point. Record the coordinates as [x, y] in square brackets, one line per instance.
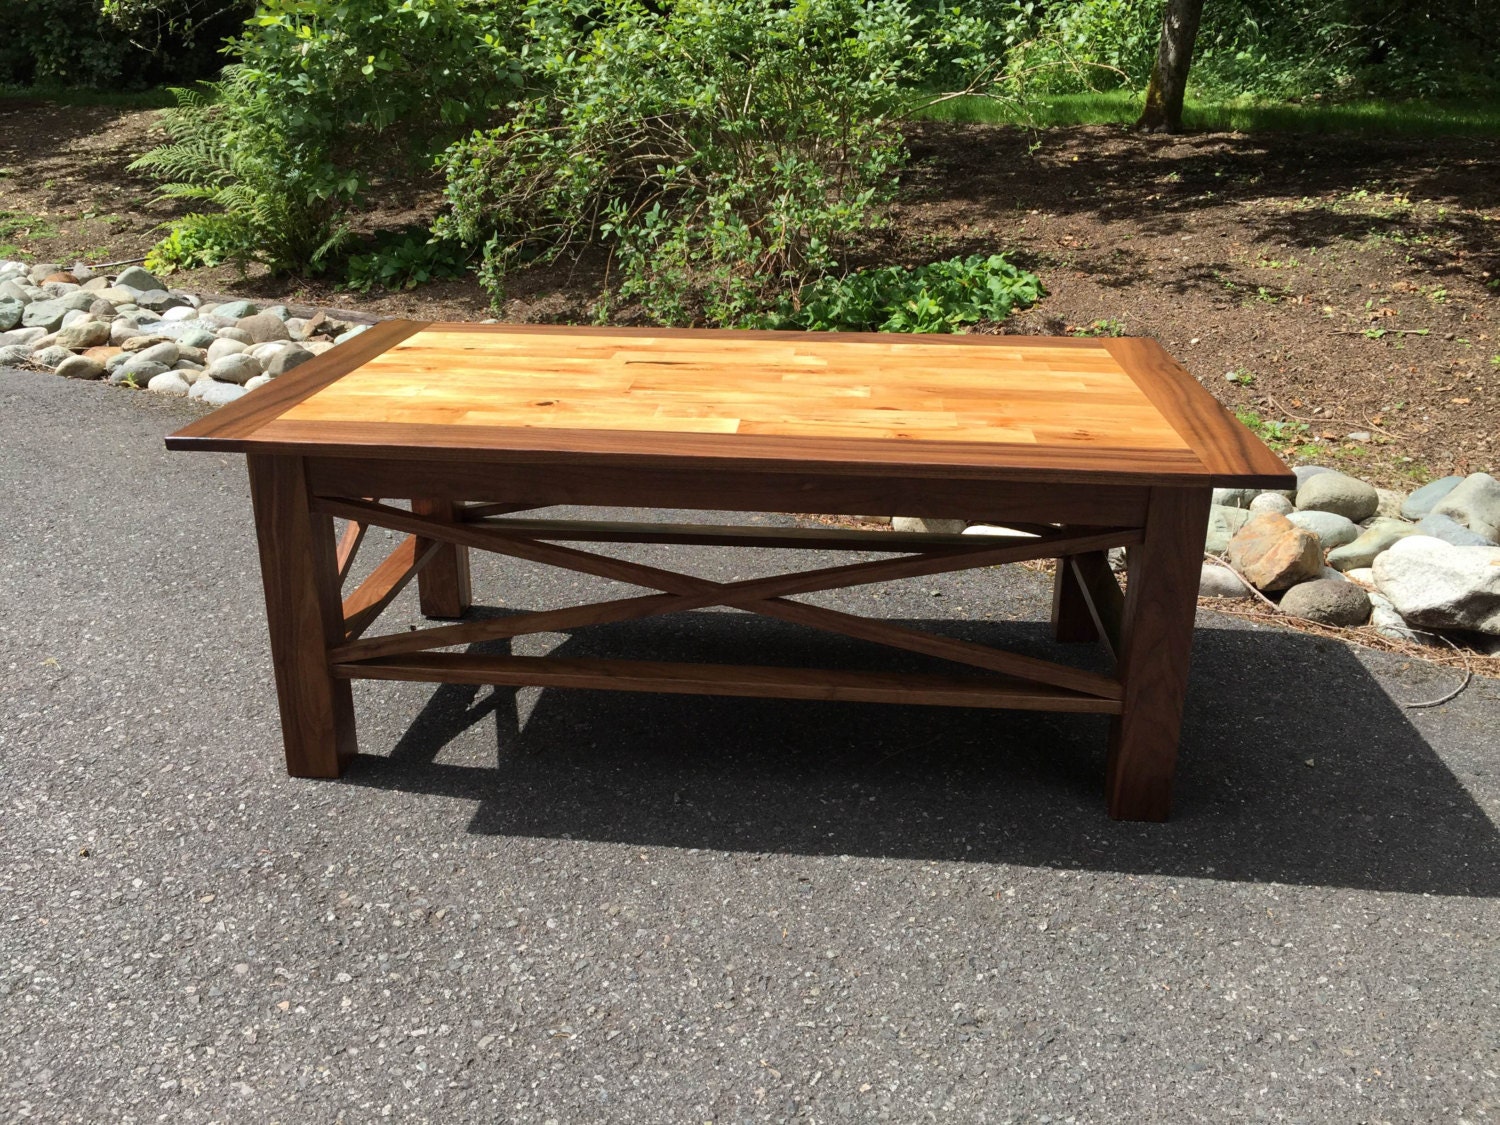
[1156, 644]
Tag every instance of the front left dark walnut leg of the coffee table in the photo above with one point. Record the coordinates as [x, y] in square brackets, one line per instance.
[299, 568]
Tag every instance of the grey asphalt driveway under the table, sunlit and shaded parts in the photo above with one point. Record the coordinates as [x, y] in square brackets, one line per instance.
[611, 908]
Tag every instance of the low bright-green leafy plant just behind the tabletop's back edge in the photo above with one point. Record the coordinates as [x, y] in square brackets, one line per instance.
[946, 296]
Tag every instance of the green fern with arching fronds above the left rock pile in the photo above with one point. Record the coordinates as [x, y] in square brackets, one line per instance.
[278, 196]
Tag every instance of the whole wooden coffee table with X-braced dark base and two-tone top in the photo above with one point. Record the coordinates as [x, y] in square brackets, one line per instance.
[1078, 445]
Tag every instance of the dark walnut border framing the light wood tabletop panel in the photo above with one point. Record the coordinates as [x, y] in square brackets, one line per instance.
[1222, 454]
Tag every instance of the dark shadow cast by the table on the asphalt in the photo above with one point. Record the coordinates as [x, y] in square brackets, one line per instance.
[1376, 808]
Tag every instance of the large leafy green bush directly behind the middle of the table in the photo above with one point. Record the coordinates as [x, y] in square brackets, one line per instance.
[725, 149]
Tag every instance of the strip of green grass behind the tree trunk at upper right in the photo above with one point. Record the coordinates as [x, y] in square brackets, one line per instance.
[1123, 107]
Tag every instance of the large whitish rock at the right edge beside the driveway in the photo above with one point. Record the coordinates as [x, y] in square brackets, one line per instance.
[1439, 586]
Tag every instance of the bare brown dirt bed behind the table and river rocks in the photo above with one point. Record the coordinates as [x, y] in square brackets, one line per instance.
[1322, 286]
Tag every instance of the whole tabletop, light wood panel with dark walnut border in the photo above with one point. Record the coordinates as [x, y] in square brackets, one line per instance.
[994, 406]
